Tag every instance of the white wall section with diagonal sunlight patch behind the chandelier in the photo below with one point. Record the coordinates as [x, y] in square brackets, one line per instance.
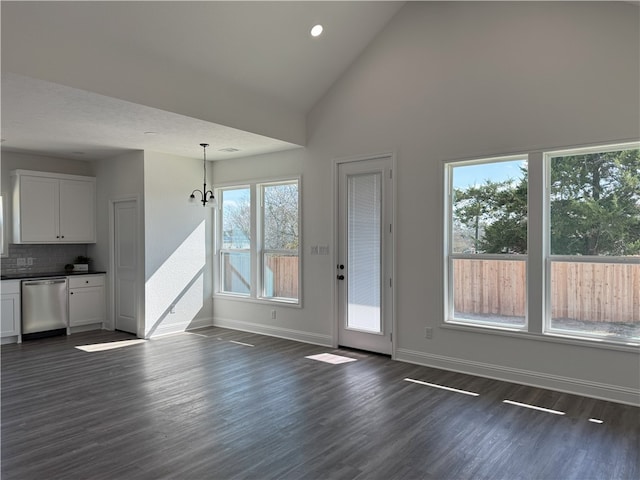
[177, 246]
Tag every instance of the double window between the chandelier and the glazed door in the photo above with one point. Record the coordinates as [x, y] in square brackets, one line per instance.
[258, 241]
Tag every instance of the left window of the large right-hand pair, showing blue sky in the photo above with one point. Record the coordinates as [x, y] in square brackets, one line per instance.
[487, 242]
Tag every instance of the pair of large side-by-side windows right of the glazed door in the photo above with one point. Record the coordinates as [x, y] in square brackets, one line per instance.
[584, 241]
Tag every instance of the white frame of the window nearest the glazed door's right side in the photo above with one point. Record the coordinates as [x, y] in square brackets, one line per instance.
[451, 256]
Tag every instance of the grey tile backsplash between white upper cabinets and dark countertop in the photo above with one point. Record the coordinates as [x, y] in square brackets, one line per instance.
[45, 258]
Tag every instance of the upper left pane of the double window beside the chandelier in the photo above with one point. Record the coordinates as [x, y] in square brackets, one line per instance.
[236, 218]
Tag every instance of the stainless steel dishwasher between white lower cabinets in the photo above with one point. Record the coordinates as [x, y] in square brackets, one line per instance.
[44, 305]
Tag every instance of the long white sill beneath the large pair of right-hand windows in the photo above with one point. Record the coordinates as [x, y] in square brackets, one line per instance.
[548, 337]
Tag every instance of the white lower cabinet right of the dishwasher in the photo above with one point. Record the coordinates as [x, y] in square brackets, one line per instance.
[87, 304]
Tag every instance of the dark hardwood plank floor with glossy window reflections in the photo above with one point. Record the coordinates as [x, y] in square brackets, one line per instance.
[199, 406]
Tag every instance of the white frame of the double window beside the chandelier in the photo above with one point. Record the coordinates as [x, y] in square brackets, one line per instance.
[256, 250]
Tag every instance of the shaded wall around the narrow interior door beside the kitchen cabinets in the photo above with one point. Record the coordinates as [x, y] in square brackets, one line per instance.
[116, 178]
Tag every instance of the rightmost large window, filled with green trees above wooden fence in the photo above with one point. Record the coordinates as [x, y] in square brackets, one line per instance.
[593, 266]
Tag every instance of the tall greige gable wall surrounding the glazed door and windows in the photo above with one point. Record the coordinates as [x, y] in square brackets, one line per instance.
[456, 80]
